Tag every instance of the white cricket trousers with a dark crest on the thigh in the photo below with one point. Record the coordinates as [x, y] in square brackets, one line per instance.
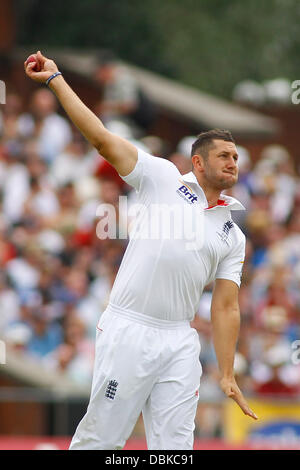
[142, 365]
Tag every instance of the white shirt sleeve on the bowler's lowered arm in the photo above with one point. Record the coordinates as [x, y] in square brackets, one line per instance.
[231, 266]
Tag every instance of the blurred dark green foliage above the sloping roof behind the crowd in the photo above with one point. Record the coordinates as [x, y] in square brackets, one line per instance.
[210, 44]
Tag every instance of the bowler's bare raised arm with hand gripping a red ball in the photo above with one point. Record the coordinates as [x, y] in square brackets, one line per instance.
[117, 151]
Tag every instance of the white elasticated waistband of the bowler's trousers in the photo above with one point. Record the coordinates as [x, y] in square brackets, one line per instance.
[146, 319]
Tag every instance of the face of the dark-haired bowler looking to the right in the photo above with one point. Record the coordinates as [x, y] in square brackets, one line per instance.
[220, 167]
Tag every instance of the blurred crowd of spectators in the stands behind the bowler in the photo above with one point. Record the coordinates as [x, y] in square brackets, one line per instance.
[56, 274]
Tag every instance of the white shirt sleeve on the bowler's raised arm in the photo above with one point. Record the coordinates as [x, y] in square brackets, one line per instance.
[149, 169]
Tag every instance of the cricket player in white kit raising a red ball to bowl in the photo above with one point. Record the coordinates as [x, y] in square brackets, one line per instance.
[147, 355]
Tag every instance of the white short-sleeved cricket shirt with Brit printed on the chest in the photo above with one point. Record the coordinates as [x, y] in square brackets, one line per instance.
[164, 278]
